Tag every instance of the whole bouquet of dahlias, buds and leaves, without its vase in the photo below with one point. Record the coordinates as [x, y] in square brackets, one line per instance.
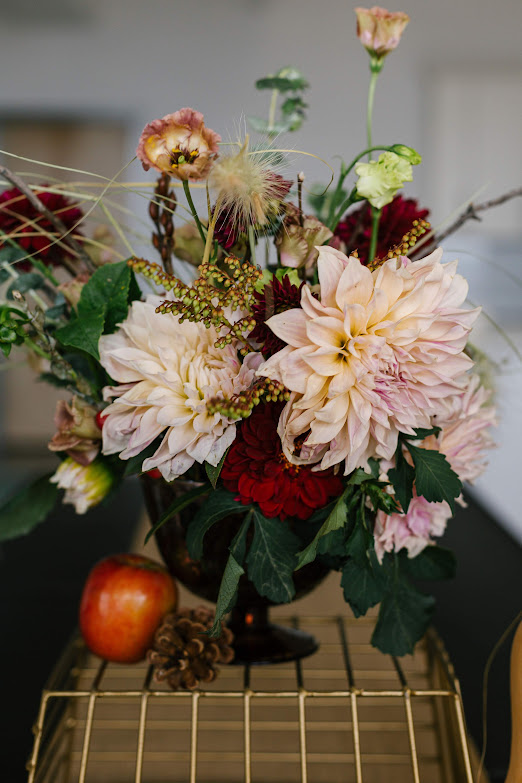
[314, 377]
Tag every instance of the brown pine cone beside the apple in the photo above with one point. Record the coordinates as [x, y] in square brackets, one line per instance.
[183, 655]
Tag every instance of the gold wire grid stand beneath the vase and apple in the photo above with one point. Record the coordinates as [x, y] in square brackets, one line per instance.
[346, 714]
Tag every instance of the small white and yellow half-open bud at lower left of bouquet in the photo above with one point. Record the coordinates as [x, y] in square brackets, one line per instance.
[85, 486]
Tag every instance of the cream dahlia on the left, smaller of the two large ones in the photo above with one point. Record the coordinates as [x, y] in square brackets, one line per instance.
[169, 371]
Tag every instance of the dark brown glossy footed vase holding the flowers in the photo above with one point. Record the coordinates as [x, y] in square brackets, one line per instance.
[257, 640]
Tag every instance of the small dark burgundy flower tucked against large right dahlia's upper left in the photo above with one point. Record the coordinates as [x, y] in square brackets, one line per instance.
[277, 296]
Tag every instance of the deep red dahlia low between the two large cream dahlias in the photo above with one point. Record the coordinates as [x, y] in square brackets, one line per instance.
[256, 470]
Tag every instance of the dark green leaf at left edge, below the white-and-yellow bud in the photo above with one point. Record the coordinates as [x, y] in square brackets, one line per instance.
[28, 508]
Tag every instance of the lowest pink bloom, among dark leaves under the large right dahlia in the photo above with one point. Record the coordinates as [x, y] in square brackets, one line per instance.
[412, 531]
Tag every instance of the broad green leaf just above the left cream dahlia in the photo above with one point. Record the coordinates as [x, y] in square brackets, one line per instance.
[107, 292]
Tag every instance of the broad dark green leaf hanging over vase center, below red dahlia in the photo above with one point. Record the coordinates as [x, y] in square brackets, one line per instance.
[272, 558]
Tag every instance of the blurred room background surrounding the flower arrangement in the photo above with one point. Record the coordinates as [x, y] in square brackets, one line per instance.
[81, 79]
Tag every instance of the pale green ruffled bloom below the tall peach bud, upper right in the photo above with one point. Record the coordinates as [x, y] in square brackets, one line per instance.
[380, 179]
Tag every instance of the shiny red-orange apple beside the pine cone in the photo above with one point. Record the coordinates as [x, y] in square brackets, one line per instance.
[123, 602]
